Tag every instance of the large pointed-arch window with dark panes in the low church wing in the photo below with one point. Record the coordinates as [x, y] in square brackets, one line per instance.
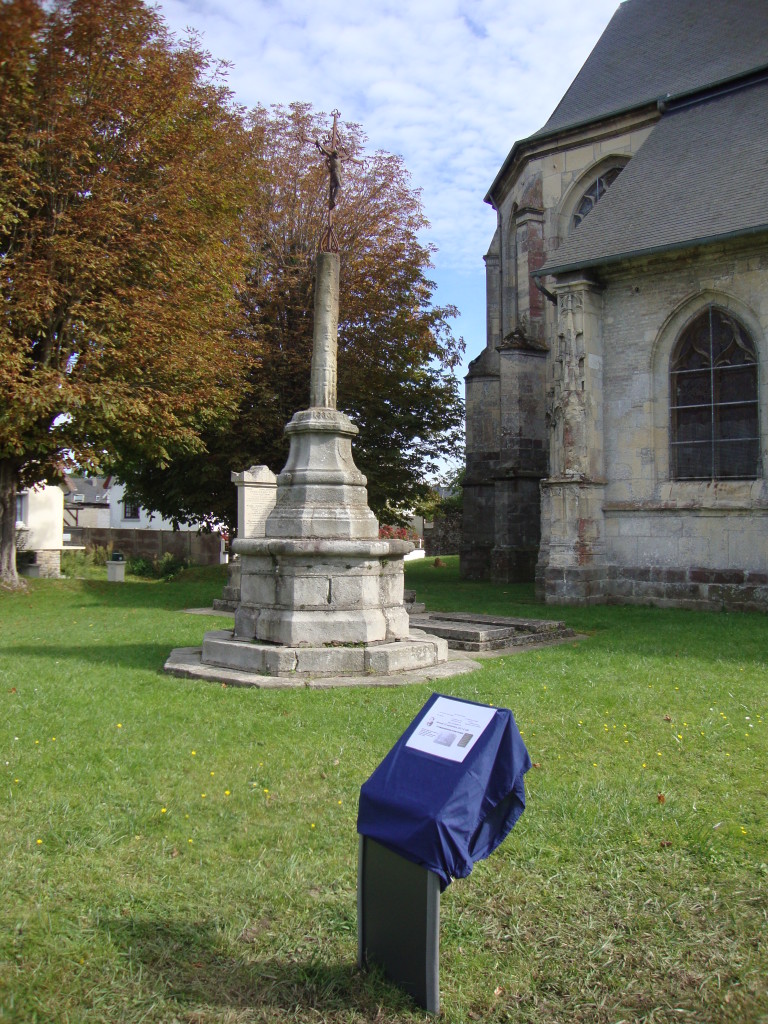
[714, 426]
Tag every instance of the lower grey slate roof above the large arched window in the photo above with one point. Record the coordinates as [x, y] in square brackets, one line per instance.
[701, 176]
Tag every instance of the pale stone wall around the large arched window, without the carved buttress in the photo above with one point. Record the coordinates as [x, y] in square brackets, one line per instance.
[692, 544]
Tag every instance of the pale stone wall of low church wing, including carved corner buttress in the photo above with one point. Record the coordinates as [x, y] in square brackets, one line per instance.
[616, 526]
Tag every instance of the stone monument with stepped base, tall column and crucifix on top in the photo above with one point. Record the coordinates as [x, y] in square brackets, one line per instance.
[321, 593]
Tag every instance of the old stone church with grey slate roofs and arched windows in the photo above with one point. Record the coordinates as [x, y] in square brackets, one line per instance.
[618, 418]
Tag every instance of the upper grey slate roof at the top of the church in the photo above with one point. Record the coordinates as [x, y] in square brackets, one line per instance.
[654, 49]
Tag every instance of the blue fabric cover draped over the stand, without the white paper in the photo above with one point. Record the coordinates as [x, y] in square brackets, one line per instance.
[443, 815]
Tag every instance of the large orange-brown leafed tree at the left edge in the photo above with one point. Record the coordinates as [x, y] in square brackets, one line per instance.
[122, 179]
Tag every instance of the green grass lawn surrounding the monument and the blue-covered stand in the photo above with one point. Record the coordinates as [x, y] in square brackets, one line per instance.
[178, 851]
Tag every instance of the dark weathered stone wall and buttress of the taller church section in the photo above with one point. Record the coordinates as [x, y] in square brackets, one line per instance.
[508, 439]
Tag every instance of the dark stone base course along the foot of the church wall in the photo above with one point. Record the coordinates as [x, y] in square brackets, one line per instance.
[697, 588]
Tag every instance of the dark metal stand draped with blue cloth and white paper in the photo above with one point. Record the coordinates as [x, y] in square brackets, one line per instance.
[446, 796]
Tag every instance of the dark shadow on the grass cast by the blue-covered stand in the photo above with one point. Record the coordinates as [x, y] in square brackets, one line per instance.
[196, 965]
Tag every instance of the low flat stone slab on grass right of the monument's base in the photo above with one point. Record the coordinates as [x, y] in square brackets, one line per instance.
[485, 633]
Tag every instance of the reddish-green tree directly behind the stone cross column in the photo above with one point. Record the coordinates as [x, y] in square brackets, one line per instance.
[397, 351]
